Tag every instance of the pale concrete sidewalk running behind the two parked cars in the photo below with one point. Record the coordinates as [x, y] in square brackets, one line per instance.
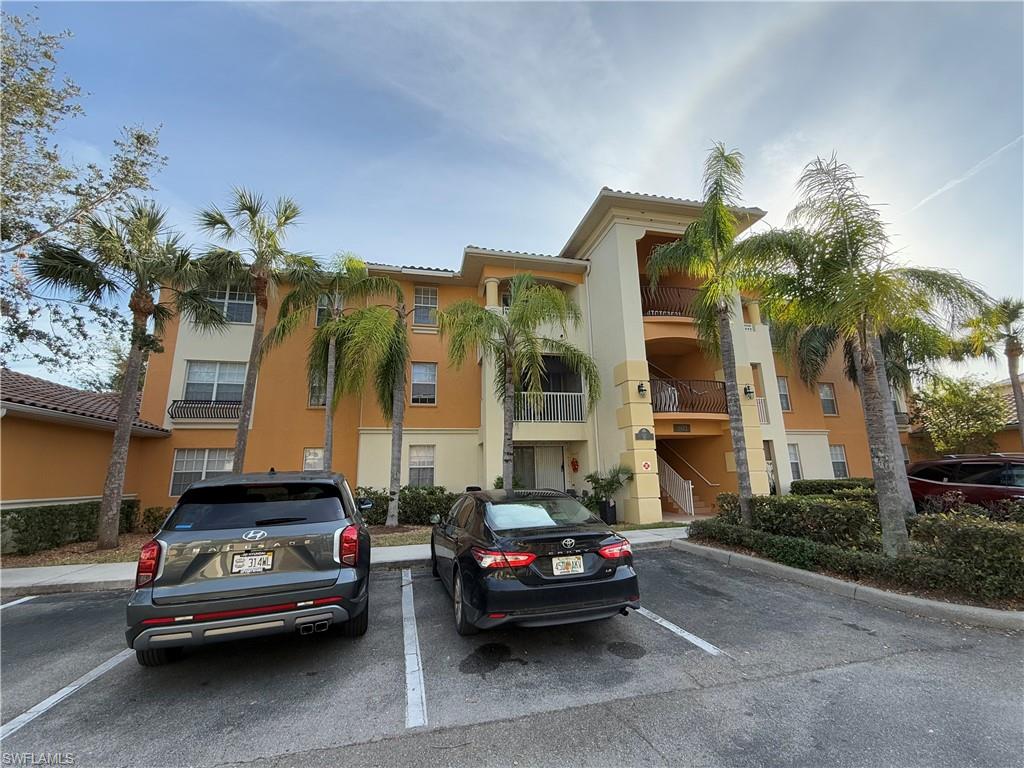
[121, 576]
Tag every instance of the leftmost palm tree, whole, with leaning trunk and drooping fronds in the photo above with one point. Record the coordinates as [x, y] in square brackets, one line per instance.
[133, 254]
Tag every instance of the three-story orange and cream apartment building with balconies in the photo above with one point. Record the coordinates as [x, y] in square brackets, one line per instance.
[662, 414]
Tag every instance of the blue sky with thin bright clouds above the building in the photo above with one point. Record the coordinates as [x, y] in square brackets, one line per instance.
[408, 132]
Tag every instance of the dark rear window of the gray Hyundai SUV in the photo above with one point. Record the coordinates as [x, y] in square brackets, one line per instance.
[257, 506]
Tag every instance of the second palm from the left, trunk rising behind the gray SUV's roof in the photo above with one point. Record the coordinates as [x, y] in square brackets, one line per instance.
[258, 266]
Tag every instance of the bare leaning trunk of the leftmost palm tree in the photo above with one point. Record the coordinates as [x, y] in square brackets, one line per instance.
[110, 507]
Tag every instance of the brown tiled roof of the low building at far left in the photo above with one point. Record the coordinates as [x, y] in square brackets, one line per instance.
[33, 397]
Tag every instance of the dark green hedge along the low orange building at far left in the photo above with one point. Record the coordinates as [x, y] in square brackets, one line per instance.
[30, 530]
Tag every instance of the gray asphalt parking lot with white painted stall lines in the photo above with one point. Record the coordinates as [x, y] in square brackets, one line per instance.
[726, 668]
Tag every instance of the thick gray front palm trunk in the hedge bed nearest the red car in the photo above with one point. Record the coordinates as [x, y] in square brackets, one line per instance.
[892, 505]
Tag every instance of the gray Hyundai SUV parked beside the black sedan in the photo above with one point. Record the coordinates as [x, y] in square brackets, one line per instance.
[249, 556]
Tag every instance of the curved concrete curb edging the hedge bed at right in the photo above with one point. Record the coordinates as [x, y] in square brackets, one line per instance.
[1001, 620]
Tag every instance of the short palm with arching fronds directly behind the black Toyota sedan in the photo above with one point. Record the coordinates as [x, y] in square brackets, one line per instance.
[516, 345]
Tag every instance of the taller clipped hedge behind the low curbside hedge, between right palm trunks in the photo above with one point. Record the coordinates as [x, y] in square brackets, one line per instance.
[854, 525]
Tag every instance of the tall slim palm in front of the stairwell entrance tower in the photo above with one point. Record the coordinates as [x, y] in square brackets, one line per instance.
[706, 252]
